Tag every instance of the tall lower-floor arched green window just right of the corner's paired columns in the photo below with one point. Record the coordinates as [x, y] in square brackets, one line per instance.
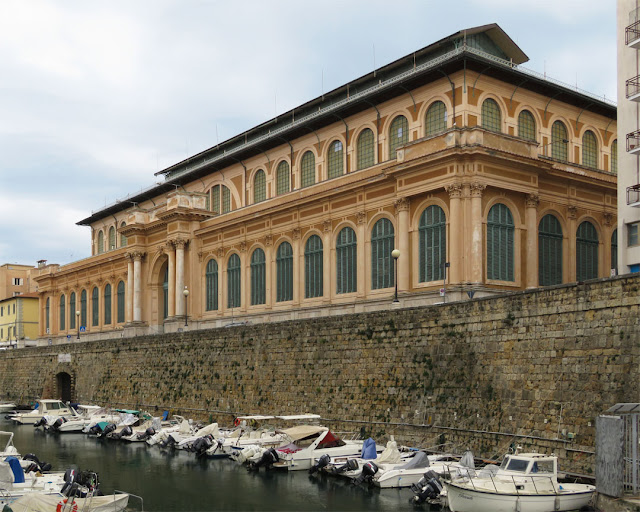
[500, 251]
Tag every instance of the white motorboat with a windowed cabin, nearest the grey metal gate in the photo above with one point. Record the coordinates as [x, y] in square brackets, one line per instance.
[524, 482]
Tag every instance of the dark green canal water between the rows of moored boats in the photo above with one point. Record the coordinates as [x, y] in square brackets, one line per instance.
[177, 481]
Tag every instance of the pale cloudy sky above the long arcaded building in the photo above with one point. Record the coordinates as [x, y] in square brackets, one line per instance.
[97, 96]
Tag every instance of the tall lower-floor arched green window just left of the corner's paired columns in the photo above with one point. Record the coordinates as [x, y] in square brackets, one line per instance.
[433, 244]
